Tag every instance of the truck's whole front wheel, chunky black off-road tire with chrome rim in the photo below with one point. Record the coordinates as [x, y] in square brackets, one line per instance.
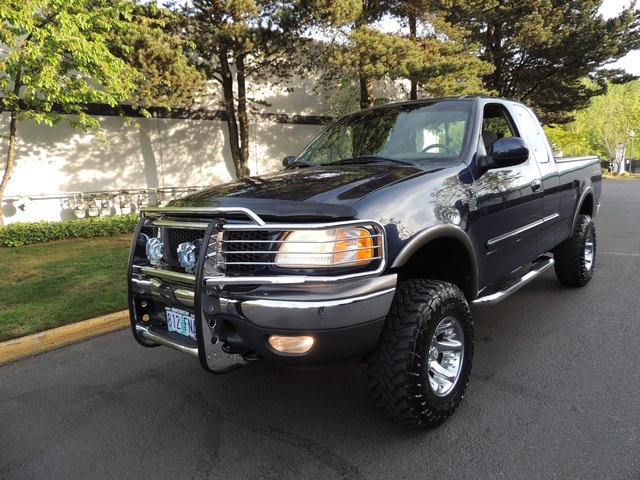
[420, 367]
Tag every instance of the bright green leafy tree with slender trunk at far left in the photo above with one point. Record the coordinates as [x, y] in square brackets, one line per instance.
[60, 55]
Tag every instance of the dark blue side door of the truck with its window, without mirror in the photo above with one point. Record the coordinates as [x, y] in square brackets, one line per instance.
[510, 202]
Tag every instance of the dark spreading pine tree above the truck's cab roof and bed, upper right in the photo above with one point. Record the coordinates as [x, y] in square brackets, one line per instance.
[542, 49]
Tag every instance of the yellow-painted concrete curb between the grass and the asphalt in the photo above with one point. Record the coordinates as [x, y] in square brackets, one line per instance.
[58, 337]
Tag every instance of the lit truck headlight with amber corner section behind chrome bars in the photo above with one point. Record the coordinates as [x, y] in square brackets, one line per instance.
[336, 247]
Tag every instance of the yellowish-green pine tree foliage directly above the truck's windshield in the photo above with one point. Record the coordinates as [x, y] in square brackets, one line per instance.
[432, 54]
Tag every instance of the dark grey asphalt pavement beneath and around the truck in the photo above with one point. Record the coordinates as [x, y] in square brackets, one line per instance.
[553, 394]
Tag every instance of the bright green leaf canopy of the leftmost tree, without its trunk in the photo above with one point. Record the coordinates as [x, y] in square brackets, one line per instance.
[58, 58]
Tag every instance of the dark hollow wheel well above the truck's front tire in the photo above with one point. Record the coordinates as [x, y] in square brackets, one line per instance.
[443, 259]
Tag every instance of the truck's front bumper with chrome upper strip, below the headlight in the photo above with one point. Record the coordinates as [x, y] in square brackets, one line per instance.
[345, 320]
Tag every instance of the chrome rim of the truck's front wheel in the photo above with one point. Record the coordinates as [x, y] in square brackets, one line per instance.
[446, 354]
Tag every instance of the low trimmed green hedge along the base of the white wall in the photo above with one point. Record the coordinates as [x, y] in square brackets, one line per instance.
[19, 233]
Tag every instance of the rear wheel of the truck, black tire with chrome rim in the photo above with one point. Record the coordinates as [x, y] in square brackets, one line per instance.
[575, 258]
